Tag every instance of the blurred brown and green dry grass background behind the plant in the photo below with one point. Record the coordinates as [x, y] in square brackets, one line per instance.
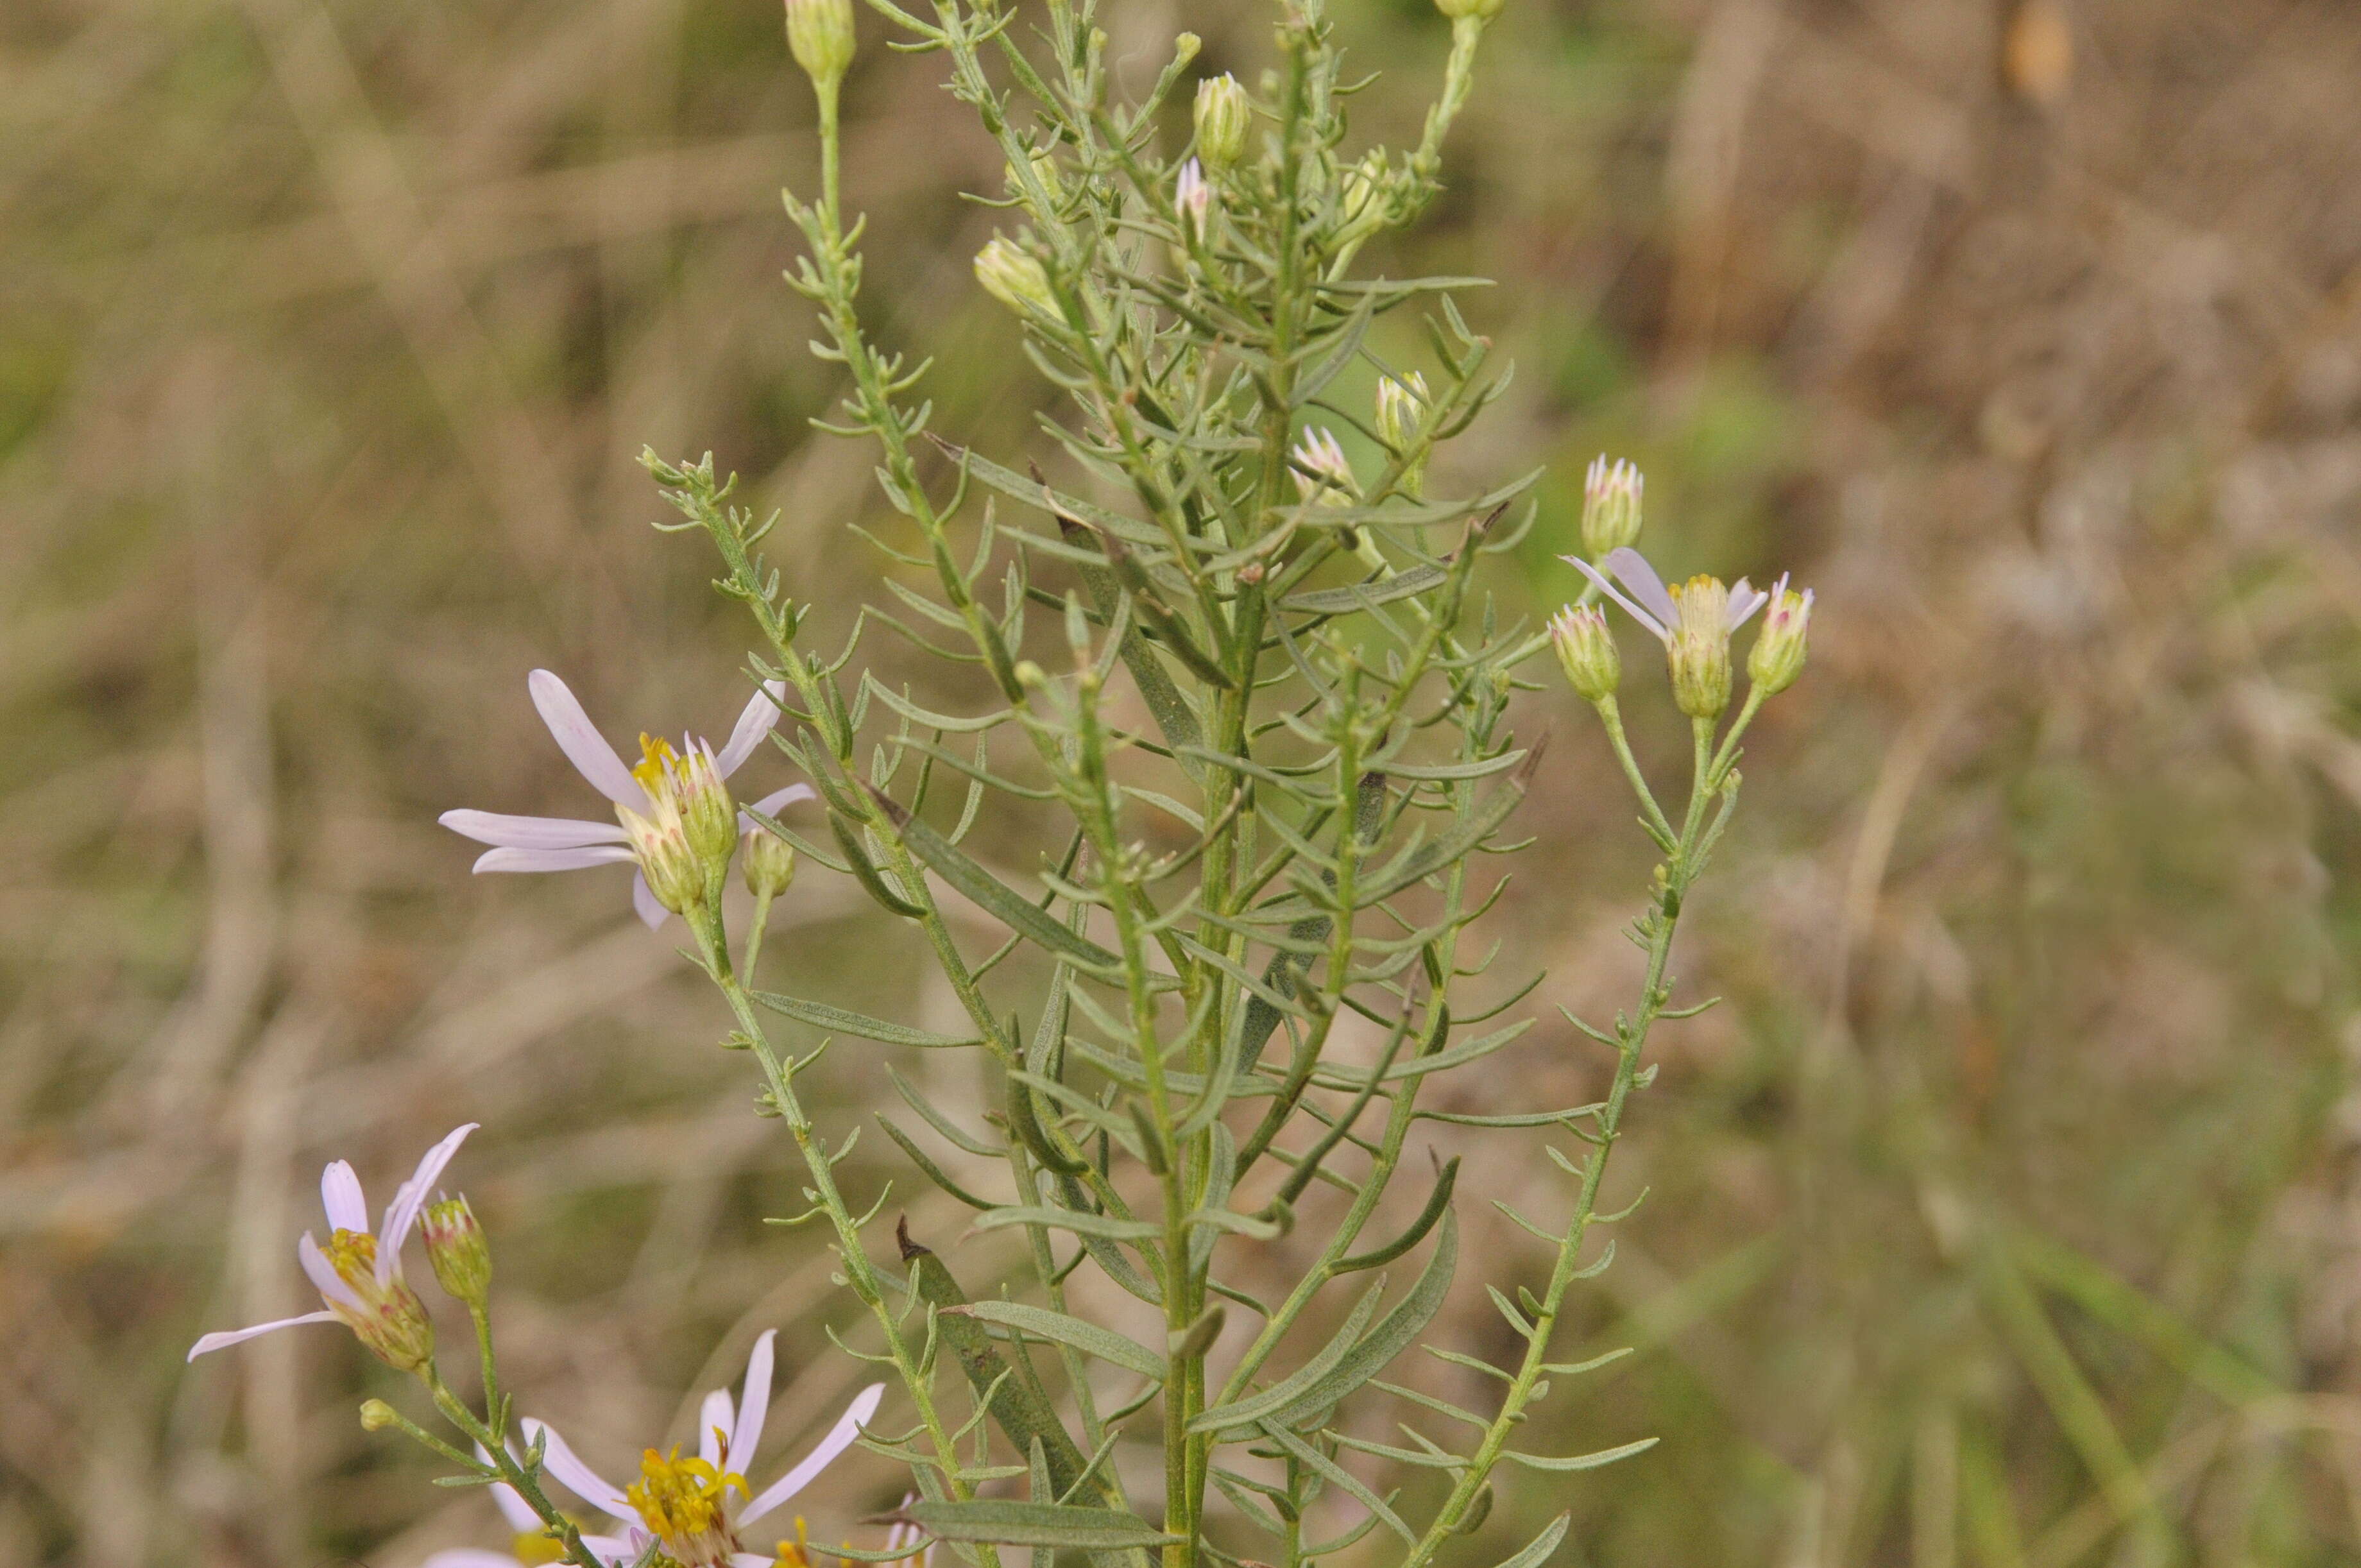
[2010, 1210]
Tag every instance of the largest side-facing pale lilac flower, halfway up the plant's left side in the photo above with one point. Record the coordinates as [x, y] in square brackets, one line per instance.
[674, 816]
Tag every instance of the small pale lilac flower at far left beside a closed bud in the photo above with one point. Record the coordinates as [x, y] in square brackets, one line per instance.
[360, 1269]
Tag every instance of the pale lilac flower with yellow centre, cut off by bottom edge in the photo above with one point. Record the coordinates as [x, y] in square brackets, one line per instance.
[698, 1510]
